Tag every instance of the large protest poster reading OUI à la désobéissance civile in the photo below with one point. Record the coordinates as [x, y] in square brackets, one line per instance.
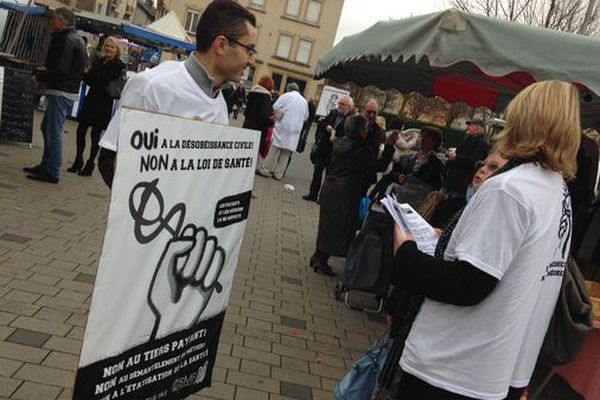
[178, 208]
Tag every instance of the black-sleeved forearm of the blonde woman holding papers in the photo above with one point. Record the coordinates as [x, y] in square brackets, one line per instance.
[451, 282]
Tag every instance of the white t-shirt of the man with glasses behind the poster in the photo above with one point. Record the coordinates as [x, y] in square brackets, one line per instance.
[166, 89]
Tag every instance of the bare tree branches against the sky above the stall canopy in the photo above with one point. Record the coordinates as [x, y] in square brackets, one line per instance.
[575, 16]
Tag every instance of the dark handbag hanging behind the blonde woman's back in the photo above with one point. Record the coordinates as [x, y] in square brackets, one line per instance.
[572, 321]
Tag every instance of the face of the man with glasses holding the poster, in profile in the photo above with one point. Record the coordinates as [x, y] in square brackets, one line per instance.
[239, 54]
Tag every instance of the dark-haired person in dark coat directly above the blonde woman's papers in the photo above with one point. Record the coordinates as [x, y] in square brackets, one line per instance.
[422, 169]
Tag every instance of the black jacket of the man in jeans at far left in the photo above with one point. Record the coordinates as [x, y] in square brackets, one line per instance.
[65, 62]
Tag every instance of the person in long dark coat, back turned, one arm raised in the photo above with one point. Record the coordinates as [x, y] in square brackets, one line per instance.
[352, 161]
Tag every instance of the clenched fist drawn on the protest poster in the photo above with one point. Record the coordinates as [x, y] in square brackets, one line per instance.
[185, 279]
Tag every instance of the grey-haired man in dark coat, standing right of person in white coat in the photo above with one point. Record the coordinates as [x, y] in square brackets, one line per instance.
[329, 128]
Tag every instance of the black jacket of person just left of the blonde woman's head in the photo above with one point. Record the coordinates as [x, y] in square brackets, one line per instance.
[460, 171]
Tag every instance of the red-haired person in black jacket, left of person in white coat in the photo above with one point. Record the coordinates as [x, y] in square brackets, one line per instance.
[259, 110]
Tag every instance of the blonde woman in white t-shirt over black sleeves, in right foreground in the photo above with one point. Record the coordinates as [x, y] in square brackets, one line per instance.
[490, 298]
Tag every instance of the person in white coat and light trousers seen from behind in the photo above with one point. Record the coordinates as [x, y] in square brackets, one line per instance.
[291, 110]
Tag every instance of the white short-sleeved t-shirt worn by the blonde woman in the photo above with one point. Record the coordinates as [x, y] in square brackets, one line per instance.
[516, 228]
